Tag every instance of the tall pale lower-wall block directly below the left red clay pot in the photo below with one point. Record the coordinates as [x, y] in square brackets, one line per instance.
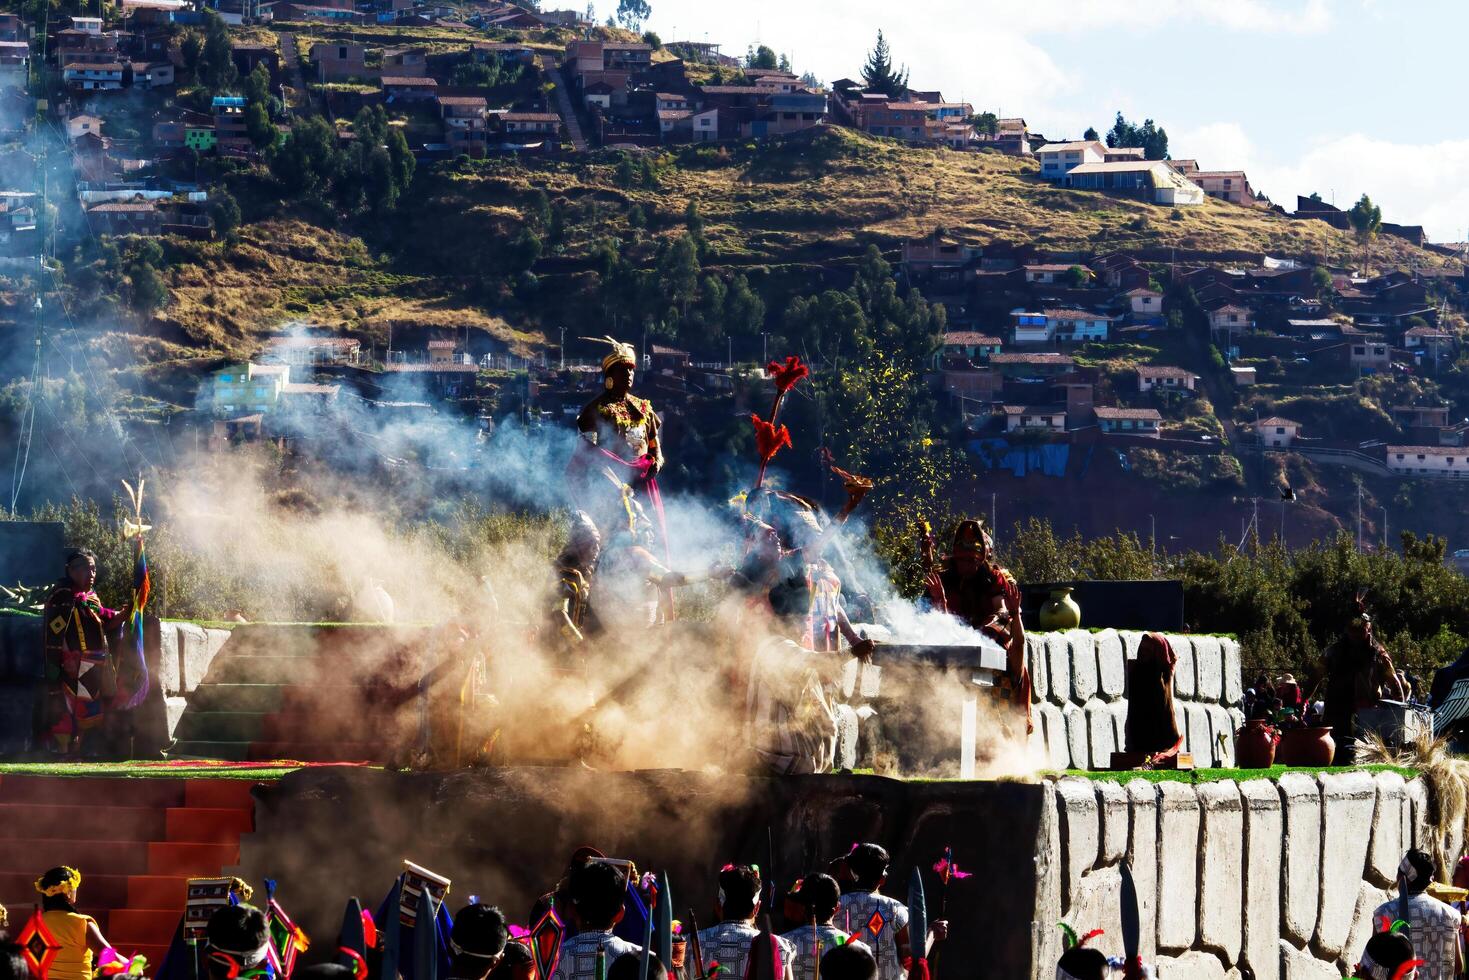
[1263, 878]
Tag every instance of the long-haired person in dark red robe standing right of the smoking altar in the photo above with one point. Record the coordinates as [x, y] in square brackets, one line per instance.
[973, 587]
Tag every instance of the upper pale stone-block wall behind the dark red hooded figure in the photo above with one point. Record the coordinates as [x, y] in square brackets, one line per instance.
[1080, 694]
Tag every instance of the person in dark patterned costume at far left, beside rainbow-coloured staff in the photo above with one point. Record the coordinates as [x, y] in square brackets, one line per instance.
[82, 677]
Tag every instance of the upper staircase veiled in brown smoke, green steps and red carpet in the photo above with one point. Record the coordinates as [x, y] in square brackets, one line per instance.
[327, 694]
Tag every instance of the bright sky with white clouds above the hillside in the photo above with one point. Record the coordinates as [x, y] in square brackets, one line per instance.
[1343, 98]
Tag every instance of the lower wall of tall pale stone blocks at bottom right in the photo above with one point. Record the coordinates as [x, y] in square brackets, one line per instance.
[1258, 879]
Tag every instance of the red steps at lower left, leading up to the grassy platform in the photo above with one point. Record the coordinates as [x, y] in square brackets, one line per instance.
[136, 843]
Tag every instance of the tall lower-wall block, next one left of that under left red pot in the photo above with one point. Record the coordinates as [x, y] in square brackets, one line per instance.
[1221, 879]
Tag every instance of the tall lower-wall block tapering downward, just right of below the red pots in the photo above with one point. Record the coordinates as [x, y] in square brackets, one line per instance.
[1348, 801]
